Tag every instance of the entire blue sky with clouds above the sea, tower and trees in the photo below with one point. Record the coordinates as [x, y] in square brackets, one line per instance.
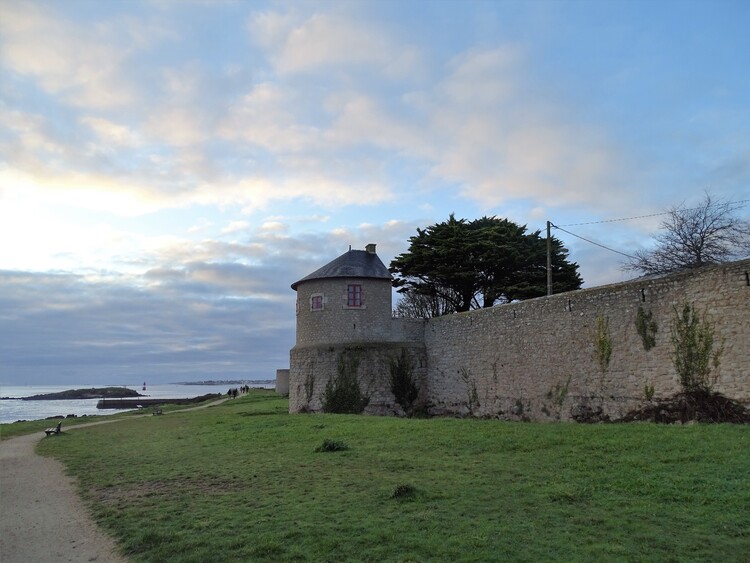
[169, 168]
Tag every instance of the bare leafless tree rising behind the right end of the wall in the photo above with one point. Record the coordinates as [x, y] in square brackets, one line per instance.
[693, 237]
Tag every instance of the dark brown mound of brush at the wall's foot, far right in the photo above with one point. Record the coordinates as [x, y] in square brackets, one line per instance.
[699, 406]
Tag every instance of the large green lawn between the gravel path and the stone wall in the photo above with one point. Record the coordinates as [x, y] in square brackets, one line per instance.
[243, 482]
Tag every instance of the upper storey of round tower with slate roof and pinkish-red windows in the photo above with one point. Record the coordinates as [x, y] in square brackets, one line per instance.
[348, 300]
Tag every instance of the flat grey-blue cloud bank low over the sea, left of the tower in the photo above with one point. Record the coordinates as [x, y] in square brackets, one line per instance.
[118, 333]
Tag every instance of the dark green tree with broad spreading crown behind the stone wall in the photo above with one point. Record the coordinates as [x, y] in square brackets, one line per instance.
[458, 265]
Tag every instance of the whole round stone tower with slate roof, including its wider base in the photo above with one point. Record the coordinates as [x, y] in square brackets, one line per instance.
[344, 311]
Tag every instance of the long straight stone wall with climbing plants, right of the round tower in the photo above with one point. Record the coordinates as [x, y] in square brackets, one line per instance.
[538, 359]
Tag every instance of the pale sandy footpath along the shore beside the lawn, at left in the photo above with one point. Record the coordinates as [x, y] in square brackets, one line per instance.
[42, 519]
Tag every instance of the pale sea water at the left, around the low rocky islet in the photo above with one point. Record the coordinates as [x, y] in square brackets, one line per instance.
[13, 409]
